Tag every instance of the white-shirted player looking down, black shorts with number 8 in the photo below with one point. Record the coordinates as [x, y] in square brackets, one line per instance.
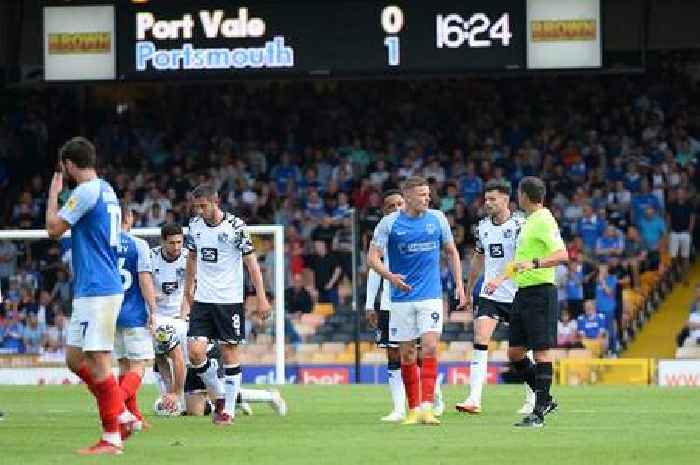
[219, 245]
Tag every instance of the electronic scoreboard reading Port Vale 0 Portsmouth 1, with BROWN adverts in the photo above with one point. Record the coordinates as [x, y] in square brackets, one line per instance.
[224, 39]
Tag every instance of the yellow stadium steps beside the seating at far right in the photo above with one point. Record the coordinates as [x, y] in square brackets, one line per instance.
[657, 339]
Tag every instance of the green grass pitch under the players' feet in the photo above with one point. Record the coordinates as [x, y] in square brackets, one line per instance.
[339, 425]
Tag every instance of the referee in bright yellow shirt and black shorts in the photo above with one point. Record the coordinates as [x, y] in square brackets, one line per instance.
[533, 324]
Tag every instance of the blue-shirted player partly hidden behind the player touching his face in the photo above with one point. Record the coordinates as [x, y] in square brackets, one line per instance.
[133, 344]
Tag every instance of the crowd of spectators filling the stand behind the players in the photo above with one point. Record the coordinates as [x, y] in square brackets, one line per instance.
[619, 155]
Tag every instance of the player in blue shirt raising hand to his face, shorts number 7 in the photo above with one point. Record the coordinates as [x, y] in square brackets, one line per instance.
[93, 215]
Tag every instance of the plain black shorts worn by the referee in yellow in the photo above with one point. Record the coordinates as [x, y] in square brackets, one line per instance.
[533, 322]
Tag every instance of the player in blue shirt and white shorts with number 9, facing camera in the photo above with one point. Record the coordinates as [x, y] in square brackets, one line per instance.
[413, 239]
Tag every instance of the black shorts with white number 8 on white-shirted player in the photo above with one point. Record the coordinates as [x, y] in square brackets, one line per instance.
[223, 323]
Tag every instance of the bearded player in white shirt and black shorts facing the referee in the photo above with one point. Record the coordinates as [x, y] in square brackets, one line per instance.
[495, 247]
